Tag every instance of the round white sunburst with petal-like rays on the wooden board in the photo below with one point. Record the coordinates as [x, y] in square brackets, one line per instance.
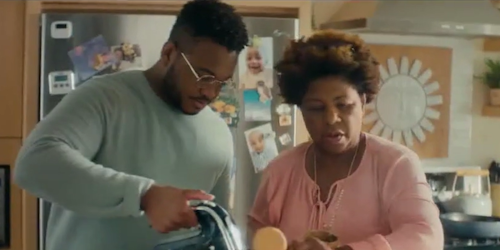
[403, 109]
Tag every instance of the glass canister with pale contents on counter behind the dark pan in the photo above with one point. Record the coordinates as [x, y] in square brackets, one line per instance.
[473, 201]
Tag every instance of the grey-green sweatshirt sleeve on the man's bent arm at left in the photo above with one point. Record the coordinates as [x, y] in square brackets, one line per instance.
[55, 161]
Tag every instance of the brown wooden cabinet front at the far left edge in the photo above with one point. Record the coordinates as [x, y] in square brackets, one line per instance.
[11, 110]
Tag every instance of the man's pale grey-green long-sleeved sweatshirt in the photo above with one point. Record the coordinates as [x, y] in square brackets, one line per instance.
[100, 149]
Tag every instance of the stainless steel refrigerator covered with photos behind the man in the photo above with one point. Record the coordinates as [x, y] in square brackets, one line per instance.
[125, 42]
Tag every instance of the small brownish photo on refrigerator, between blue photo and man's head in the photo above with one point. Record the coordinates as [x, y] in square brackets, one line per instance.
[127, 56]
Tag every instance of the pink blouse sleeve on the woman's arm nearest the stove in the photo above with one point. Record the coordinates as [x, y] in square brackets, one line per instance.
[412, 214]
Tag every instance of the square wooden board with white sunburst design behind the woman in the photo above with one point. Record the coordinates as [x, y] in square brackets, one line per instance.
[413, 106]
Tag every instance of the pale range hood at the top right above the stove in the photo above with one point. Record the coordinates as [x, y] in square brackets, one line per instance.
[463, 18]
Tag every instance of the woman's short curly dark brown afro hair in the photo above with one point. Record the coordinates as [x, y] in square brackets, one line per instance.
[327, 53]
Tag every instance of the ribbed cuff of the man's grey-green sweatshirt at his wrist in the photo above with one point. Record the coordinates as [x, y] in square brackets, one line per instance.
[135, 188]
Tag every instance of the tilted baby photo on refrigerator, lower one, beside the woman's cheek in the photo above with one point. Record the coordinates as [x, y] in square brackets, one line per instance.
[261, 146]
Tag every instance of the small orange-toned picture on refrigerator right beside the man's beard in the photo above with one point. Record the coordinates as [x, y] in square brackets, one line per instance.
[228, 108]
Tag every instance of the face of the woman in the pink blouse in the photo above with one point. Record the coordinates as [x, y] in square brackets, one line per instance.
[333, 113]
